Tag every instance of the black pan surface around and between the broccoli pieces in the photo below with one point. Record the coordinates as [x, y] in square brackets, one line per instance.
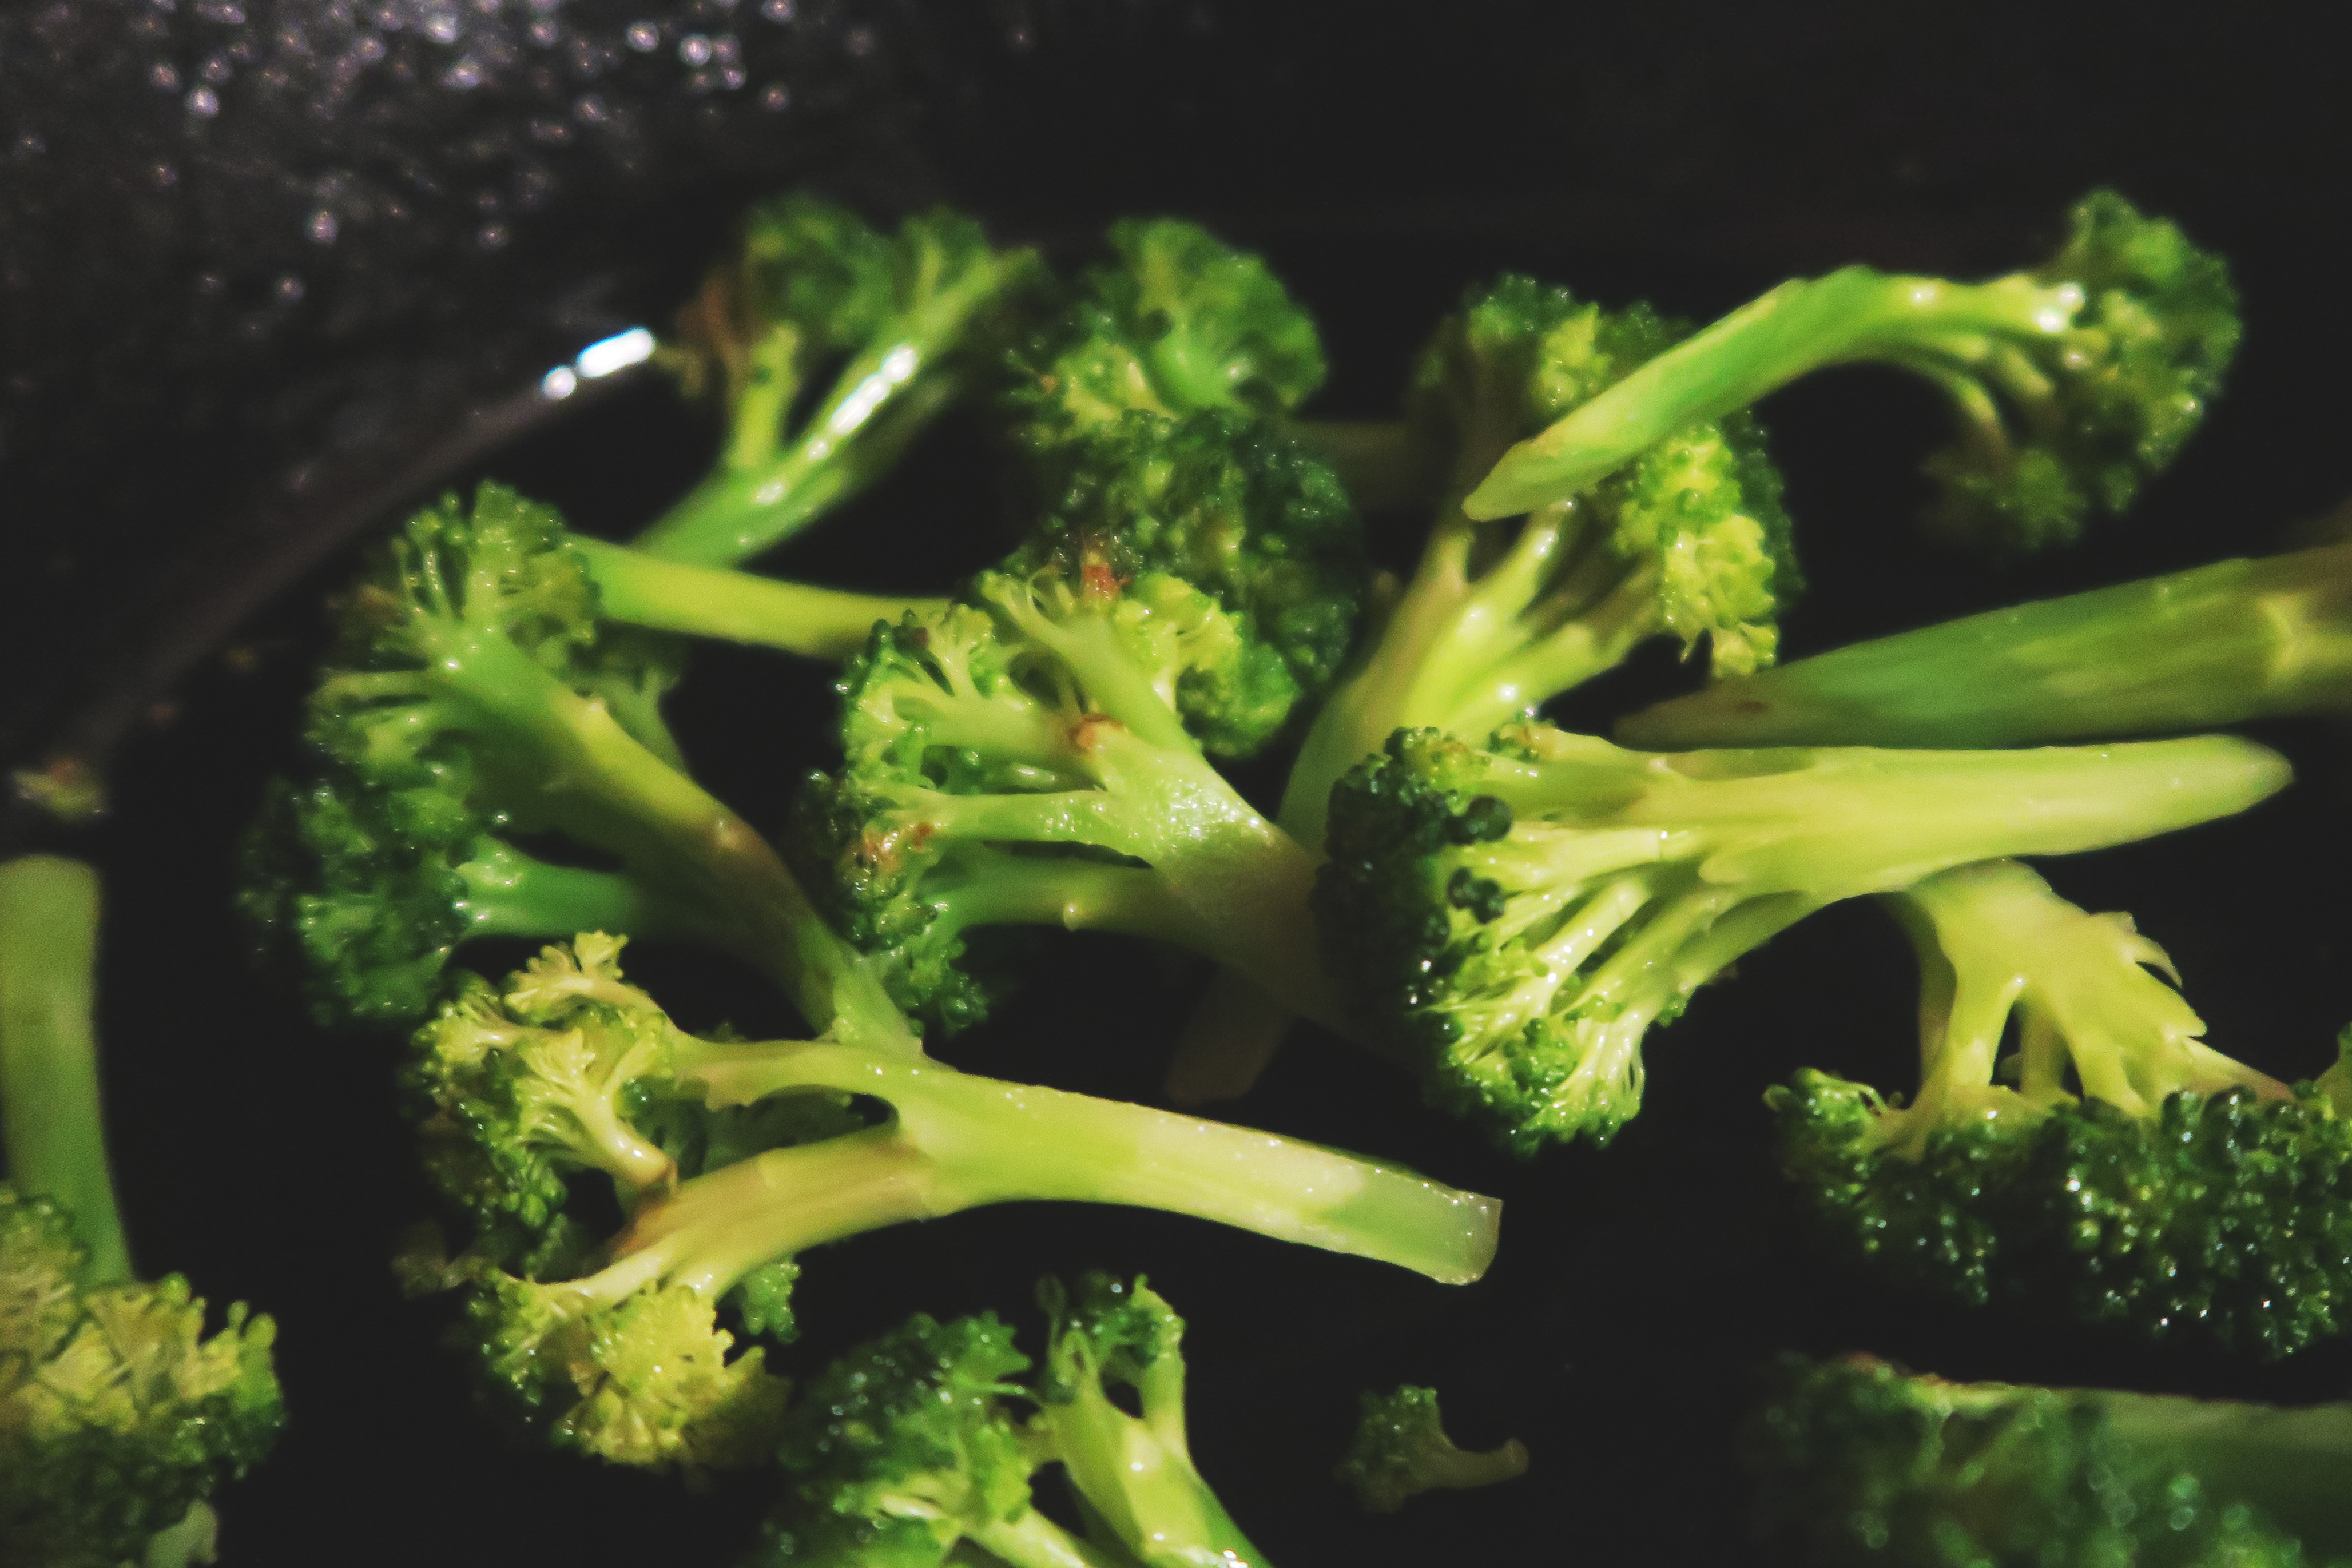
[182, 431]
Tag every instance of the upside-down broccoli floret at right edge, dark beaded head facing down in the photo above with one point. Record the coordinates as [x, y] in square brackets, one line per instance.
[2181, 1193]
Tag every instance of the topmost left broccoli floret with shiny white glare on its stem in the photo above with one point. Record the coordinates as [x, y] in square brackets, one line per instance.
[909, 321]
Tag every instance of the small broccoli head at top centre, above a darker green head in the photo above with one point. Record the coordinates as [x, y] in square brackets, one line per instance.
[1180, 323]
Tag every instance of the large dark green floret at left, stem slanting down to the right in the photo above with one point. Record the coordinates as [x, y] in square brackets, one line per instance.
[469, 718]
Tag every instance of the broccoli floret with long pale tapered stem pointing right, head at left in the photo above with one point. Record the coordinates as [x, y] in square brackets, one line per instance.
[1516, 918]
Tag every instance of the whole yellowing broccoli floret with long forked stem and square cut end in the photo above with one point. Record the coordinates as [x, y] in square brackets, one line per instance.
[733, 1158]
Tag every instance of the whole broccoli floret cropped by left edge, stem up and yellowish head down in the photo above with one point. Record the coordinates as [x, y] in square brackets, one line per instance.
[119, 1414]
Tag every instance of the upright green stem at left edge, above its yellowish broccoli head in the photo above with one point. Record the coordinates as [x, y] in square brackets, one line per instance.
[51, 1108]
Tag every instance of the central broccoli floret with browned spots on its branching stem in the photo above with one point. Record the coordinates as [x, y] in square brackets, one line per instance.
[1048, 732]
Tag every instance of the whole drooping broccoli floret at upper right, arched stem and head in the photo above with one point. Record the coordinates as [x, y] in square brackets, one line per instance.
[2071, 382]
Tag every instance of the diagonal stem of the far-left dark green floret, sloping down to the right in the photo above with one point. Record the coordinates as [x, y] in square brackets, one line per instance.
[599, 784]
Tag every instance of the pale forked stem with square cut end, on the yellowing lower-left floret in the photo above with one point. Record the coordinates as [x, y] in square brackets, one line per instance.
[958, 1141]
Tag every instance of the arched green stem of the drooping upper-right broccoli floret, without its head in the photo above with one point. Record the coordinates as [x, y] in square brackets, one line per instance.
[1803, 326]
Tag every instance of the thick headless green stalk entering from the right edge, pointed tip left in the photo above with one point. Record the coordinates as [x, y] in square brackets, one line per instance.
[2191, 650]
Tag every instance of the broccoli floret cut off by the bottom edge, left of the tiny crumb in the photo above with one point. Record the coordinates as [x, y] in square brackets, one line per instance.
[921, 1447]
